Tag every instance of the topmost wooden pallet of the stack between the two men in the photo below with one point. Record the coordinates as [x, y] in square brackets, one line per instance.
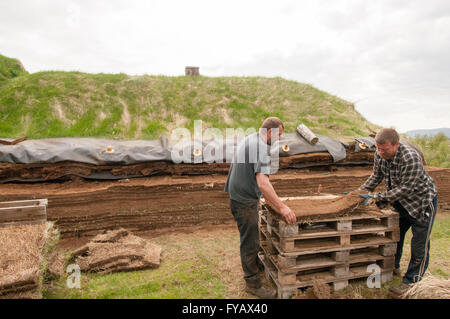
[345, 235]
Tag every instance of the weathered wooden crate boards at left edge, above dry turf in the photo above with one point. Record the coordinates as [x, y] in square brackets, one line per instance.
[23, 212]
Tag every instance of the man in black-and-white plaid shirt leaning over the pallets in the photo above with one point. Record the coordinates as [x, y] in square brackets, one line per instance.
[411, 192]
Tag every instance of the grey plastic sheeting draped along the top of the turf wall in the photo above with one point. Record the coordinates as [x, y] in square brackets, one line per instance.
[114, 152]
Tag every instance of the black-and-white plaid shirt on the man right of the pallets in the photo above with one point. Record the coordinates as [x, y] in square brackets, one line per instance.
[406, 181]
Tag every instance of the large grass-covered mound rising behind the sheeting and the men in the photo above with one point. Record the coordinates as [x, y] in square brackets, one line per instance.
[120, 106]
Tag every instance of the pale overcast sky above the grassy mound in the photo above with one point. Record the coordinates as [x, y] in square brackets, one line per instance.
[390, 57]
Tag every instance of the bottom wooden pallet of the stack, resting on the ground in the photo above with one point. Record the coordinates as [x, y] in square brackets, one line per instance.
[337, 281]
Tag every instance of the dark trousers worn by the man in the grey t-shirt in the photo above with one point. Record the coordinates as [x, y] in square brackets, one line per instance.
[246, 216]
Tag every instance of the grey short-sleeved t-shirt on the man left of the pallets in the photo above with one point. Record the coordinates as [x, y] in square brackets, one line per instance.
[252, 156]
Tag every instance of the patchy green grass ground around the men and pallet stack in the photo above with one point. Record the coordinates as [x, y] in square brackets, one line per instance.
[206, 264]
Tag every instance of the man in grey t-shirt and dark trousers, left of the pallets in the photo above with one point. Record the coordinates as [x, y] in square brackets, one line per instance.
[247, 180]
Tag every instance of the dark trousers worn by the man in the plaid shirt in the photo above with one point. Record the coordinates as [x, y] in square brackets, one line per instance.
[420, 242]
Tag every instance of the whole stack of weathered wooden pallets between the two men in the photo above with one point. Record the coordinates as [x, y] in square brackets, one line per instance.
[330, 249]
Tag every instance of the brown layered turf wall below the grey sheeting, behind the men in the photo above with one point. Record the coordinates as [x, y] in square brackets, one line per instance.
[82, 208]
